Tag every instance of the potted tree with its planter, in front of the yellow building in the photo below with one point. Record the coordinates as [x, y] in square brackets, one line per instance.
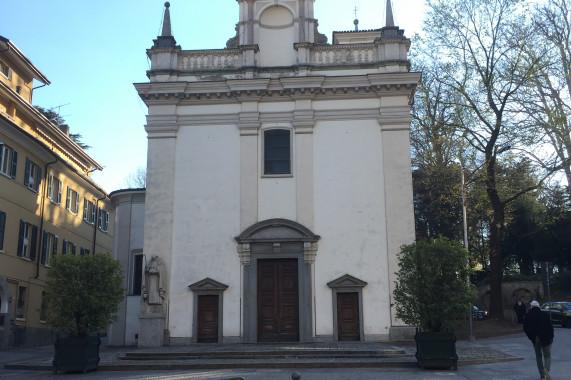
[82, 296]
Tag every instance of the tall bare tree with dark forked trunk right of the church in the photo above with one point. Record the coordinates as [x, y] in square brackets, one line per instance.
[478, 48]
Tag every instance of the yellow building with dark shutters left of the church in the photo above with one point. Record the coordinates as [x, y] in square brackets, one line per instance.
[48, 203]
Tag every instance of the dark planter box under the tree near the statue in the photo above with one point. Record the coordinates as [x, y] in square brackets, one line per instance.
[76, 354]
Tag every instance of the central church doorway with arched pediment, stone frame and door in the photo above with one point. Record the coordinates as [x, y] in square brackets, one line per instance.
[277, 256]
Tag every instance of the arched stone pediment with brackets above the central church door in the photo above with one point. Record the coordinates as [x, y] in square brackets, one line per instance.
[277, 235]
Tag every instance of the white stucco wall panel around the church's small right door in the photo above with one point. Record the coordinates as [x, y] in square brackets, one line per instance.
[349, 216]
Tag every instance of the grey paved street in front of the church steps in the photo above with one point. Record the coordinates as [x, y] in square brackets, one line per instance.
[517, 345]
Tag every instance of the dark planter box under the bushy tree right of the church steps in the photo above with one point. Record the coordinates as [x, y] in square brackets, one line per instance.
[436, 350]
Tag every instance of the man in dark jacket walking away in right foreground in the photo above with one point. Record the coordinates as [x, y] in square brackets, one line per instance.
[539, 330]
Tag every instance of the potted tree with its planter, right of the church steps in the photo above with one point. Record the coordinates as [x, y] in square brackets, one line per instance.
[433, 293]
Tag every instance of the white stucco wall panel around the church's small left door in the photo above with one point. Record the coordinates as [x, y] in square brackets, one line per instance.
[206, 219]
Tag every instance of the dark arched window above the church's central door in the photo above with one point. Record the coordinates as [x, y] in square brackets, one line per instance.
[277, 151]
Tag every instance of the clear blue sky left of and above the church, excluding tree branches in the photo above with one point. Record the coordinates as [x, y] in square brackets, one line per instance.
[93, 51]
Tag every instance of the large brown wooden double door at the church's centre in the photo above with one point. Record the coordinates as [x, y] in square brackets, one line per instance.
[278, 300]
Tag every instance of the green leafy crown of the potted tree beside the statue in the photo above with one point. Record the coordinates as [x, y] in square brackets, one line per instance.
[83, 292]
